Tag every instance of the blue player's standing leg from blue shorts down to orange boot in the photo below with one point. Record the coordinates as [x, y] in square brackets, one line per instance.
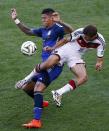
[44, 79]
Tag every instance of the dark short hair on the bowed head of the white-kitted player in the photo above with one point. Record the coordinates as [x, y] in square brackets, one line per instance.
[90, 30]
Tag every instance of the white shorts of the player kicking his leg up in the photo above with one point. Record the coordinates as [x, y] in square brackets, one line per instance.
[68, 55]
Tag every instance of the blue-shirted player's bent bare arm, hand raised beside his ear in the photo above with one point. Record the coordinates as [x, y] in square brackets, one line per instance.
[67, 28]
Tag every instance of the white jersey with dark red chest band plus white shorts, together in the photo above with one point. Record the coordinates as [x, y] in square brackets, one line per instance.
[72, 52]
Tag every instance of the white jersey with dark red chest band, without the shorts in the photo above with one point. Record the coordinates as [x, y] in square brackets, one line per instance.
[80, 45]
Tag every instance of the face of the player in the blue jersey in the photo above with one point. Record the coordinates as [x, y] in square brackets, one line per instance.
[47, 20]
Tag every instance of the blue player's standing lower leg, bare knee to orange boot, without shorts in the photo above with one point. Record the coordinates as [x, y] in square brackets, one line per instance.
[38, 106]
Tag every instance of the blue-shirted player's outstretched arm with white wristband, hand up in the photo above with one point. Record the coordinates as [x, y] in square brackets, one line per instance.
[21, 26]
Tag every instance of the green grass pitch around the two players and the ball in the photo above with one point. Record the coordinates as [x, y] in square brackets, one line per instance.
[85, 109]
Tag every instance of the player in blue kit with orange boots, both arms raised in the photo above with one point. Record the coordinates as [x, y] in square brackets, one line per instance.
[51, 32]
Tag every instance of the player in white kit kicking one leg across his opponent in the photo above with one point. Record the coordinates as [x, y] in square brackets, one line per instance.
[76, 45]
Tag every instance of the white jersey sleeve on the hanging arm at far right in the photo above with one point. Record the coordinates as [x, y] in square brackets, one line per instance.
[101, 47]
